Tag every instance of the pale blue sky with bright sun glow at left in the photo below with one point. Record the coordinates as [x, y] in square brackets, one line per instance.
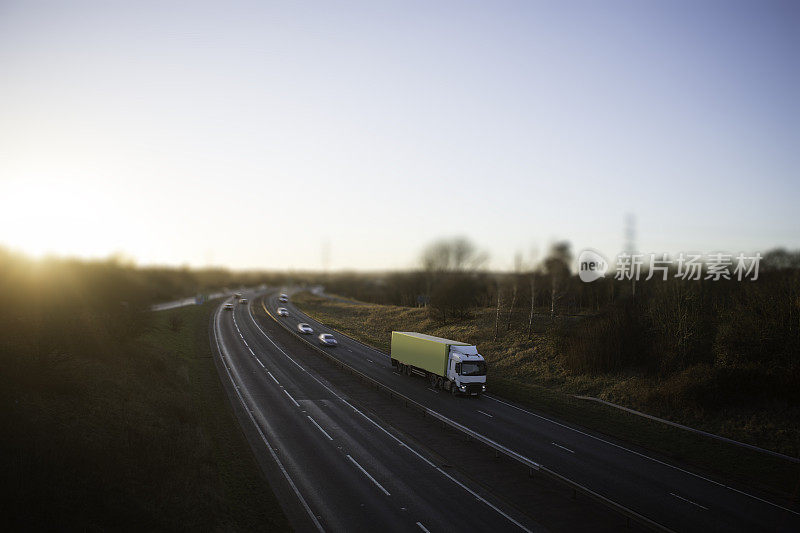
[258, 134]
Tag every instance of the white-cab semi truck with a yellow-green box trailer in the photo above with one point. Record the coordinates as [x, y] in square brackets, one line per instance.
[453, 366]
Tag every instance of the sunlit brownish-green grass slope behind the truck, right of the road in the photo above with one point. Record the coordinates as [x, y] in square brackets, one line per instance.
[526, 371]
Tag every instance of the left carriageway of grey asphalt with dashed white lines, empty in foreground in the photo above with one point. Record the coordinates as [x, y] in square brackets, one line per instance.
[332, 466]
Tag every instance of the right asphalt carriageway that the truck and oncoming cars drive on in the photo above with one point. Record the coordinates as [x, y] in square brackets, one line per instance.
[669, 494]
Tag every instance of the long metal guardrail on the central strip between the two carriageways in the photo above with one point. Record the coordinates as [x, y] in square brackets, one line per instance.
[629, 514]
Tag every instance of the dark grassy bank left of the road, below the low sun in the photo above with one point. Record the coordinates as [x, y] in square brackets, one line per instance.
[130, 434]
